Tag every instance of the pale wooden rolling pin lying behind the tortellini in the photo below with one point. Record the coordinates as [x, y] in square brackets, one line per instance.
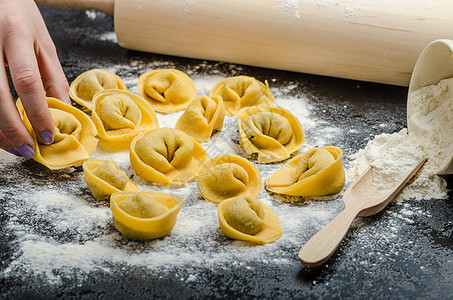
[376, 41]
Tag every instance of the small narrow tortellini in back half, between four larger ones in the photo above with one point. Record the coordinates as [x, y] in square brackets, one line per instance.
[201, 117]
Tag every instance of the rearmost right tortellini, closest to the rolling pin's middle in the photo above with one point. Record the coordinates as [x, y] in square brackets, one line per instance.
[242, 91]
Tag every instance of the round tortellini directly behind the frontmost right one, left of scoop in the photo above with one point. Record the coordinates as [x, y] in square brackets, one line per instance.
[228, 176]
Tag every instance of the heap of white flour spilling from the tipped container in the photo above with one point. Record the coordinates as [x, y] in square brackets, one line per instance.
[430, 112]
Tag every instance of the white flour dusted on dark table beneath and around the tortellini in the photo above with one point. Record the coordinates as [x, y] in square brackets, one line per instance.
[61, 231]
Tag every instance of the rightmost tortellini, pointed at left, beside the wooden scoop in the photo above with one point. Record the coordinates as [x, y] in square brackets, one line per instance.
[317, 172]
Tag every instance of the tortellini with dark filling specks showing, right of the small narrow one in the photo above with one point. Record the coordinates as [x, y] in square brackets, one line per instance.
[271, 132]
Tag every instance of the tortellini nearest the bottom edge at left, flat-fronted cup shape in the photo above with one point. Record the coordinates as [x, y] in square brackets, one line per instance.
[144, 215]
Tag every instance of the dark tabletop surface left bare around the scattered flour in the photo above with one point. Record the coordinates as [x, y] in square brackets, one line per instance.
[418, 265]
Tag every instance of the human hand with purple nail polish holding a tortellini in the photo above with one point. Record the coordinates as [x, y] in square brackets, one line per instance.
[28, 50]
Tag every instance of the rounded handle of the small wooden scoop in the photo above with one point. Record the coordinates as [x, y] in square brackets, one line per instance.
[323, 244]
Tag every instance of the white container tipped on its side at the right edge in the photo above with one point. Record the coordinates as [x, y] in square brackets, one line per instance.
[434, 64]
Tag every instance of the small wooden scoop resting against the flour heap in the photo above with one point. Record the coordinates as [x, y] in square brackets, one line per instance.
[361, 198]
